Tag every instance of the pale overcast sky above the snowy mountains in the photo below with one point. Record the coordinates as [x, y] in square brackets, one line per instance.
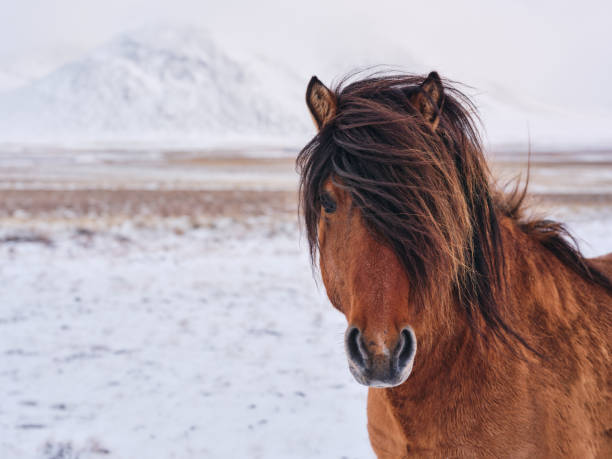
[556, 51]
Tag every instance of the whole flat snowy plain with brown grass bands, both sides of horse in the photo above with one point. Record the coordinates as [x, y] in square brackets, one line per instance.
[138, 332]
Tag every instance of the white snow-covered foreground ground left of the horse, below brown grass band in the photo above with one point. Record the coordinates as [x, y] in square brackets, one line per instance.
[144, 343]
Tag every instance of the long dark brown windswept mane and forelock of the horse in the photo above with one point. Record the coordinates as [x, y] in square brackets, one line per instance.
[427, 195]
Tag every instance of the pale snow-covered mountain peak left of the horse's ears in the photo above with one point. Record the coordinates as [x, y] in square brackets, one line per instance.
[168, 85]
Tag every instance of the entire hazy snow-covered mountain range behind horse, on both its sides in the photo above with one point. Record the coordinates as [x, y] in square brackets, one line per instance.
[172, 86]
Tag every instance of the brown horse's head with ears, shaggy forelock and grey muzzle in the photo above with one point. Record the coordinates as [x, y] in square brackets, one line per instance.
[394, 197]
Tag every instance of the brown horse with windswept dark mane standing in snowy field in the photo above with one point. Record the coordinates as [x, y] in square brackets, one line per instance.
[416, 245]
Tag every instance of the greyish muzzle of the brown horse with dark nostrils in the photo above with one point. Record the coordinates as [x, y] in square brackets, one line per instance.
[380, 367]
